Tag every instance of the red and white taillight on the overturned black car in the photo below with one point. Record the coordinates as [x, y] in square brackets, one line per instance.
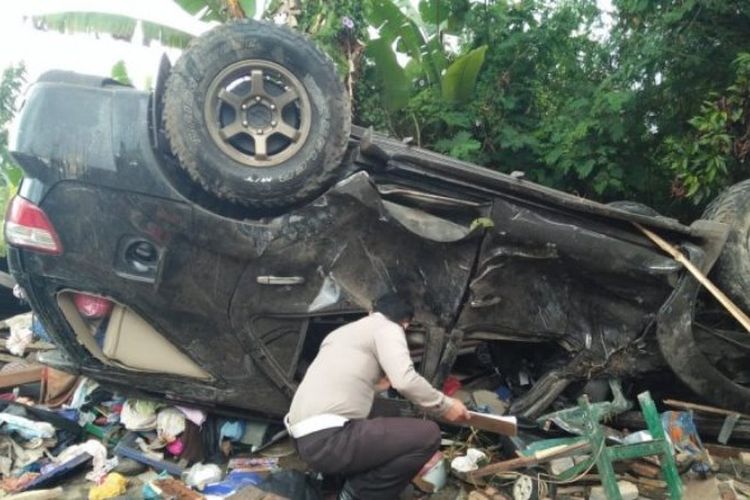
[26, 225]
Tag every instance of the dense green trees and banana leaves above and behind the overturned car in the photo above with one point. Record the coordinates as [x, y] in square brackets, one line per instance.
[649, 107]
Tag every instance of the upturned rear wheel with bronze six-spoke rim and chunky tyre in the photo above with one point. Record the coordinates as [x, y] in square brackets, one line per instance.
[257, 115]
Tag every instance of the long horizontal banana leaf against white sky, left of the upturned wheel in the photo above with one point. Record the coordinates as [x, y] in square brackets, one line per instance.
[119, 26]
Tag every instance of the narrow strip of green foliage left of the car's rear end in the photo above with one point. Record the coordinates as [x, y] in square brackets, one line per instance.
[10, 175]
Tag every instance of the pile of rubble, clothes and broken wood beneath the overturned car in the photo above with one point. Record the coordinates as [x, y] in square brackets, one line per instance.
[64, 436]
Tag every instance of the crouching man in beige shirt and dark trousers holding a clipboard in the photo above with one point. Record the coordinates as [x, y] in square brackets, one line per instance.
[328, 415]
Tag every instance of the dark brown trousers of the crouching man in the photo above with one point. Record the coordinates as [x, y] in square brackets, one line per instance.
[377, 456]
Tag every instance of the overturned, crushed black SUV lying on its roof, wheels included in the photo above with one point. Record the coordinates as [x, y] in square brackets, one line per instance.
[198, 242]
